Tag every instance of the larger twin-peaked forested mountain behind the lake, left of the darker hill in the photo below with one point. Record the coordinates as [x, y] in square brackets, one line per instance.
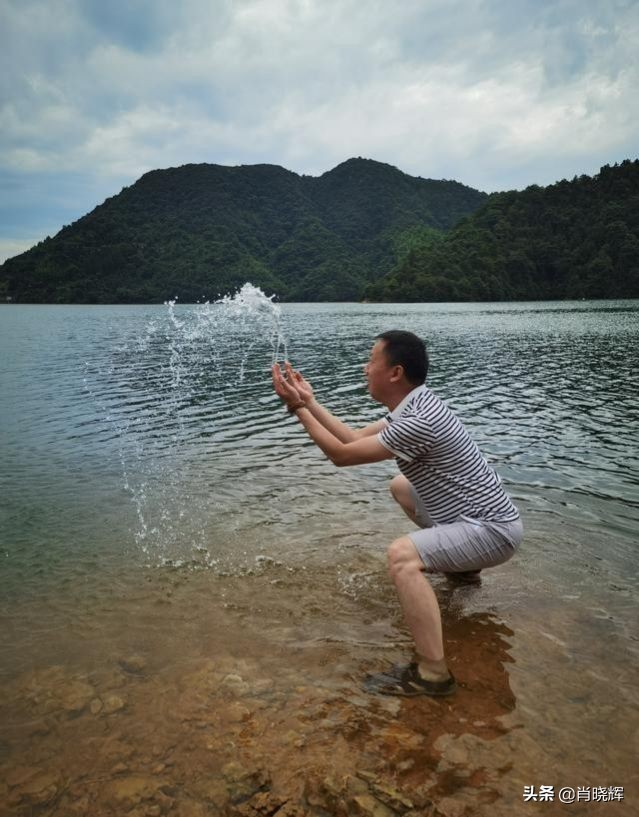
[202, 230]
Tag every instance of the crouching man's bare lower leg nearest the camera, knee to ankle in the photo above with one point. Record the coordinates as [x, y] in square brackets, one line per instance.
[420, 606]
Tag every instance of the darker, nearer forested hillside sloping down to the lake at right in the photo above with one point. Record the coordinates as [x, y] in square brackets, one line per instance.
[574, 239]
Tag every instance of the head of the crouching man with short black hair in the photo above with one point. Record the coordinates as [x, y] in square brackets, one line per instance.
[398, 361]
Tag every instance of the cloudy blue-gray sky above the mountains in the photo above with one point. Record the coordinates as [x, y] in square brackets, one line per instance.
[497, 94]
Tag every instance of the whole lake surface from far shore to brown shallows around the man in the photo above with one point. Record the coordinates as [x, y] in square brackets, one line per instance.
[191, 593]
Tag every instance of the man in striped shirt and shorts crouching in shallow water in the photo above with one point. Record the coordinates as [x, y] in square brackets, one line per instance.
[466, 521]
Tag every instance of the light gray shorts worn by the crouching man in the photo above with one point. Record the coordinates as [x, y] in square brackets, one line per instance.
[465, 544]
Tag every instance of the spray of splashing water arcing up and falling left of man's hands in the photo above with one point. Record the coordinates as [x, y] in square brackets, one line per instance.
[170, 397]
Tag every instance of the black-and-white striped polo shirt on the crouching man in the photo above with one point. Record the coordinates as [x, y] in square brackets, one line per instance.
[435, 453]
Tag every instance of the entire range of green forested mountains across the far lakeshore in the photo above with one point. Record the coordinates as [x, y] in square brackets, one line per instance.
[364, 229]
